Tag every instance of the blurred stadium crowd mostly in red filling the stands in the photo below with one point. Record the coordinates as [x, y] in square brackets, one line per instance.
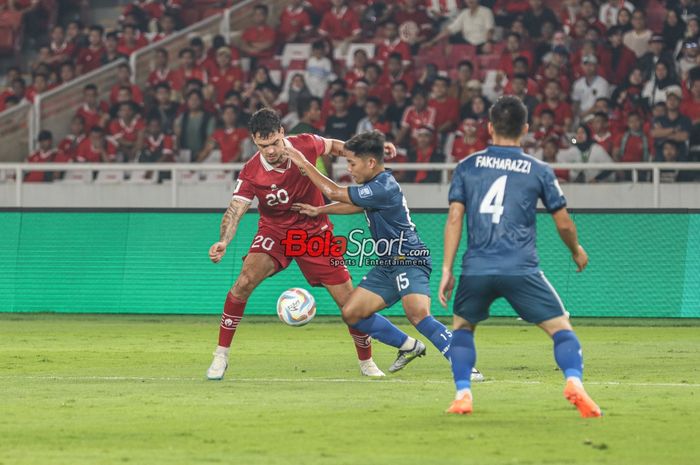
[603, 81]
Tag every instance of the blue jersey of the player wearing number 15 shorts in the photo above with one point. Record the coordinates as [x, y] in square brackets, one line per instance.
[387, 212]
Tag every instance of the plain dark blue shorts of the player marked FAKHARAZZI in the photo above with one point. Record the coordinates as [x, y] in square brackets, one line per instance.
[531, 296]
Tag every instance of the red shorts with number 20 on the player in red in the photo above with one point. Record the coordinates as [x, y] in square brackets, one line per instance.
[317, 270]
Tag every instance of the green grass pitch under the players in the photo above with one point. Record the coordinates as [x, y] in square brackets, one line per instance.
[80, 390]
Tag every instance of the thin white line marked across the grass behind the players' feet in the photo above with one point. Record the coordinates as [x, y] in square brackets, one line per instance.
[325, 380]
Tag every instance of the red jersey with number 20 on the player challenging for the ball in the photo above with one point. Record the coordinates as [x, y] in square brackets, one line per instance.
[277, 188]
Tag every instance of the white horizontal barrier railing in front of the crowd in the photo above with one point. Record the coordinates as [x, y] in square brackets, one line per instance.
[174, 168]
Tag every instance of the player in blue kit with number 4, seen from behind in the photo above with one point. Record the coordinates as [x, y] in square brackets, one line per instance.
[498, 190]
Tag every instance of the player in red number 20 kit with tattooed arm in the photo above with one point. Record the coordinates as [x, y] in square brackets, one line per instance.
[270, 177]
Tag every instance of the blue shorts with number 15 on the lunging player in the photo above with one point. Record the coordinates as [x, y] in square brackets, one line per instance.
[393, 283]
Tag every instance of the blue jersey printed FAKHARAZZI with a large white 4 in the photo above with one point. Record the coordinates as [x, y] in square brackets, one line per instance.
[499, 188]
